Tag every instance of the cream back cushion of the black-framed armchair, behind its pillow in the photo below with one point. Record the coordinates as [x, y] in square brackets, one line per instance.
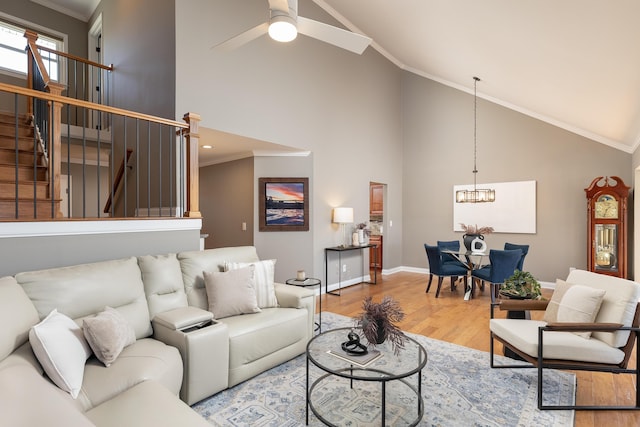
[618, 305]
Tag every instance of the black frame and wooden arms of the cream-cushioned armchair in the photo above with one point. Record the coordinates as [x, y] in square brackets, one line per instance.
[541, 363]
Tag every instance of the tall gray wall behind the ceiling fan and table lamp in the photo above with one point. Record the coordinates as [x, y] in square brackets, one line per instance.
[343, 107]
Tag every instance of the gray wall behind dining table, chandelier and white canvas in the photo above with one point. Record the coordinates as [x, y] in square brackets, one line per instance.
[438, 138]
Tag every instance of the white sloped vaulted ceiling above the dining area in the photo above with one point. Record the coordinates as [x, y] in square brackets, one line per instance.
[572, 63]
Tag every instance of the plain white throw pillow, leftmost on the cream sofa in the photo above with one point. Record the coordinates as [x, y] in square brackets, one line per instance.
[62, 350]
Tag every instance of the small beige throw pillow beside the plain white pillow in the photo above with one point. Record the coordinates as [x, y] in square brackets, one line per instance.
[108, 333]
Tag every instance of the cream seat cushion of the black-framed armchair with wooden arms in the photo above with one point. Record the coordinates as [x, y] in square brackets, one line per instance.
[523, 334]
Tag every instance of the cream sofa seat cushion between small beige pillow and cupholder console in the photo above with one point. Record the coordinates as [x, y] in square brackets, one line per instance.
[146, 359]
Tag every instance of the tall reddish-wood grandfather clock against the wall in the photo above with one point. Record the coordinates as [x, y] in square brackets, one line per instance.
[607, 217]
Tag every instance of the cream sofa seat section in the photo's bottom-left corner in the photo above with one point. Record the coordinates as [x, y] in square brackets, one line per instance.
[28, 399]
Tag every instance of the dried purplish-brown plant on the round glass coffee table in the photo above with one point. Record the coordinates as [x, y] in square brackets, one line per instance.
[378, 322]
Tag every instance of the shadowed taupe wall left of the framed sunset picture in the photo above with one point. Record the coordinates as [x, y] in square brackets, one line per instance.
[226, 201]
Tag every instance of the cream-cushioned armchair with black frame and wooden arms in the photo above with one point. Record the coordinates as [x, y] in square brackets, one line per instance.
[591, 323]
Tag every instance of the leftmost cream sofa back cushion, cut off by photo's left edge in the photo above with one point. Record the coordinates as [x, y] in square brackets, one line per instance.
[17, 316]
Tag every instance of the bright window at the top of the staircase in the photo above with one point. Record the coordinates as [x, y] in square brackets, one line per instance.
[13, 58]
